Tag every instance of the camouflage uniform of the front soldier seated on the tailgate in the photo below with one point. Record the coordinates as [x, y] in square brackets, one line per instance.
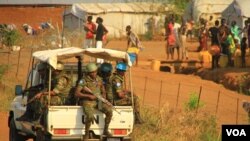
[90, 105]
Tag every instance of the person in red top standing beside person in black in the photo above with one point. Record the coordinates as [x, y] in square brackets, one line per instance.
[90, 29]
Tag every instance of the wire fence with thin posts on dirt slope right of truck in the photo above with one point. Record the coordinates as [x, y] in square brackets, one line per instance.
[225, 105]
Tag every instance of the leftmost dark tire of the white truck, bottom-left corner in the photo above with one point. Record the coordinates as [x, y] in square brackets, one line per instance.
[13, 132]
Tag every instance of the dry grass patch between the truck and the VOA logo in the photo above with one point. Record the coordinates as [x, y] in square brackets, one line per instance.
[169, 125]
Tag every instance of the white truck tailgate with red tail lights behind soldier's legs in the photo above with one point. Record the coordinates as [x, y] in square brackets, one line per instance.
[69, 121]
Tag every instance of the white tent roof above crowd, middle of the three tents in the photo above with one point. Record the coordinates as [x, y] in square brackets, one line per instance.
[206, 8]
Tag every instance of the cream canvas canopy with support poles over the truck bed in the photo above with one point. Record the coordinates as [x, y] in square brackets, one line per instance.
[51, 57]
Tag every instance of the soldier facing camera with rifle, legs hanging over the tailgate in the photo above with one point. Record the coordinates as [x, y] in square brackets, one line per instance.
[92, 83]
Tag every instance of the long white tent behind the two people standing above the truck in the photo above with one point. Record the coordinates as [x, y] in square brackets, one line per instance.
[116, 16]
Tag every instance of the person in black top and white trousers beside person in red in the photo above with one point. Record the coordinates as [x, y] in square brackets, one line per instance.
[101, 32]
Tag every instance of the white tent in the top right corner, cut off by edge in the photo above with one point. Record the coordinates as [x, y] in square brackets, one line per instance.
[239, 11]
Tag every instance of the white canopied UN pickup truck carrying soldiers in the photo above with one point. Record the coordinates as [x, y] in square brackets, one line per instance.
[67, 122]
